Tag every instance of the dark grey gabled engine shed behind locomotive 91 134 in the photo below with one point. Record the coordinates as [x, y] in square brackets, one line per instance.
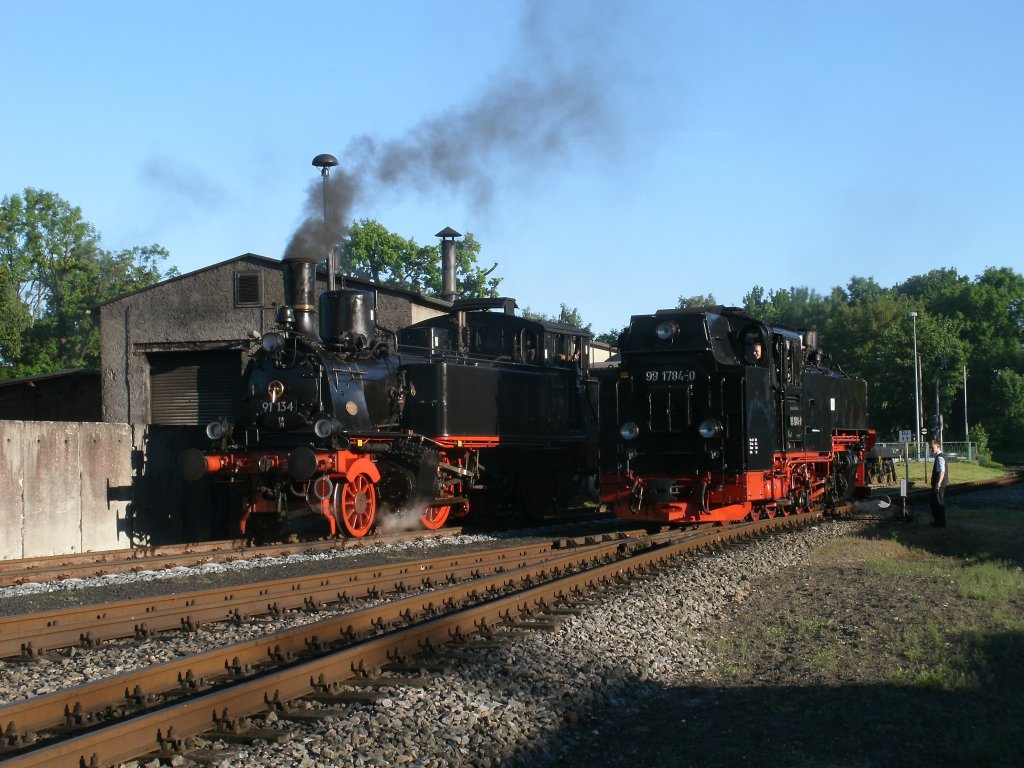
[174, 354]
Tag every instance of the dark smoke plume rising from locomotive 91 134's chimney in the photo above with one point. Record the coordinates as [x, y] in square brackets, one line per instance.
[552, 100]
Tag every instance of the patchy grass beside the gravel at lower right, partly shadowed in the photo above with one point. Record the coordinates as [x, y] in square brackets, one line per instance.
[900, 648]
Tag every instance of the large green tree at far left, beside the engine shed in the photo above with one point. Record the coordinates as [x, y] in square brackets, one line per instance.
[53, 271]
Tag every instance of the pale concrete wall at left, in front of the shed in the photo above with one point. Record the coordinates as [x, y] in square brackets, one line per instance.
[65, 487]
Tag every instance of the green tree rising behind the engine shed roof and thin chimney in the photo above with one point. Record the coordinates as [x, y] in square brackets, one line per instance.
[372, 252]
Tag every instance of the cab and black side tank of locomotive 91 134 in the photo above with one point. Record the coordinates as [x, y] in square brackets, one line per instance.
[520, 390]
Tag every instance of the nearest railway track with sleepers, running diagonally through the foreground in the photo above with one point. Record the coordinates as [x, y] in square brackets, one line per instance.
[153, 711]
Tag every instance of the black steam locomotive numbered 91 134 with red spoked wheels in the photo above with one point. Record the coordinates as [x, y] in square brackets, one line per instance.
[344, 426]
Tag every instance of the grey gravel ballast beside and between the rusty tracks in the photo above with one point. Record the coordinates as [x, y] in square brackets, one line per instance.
[531, 703]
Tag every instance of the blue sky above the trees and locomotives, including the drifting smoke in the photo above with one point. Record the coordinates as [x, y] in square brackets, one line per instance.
[611, 156]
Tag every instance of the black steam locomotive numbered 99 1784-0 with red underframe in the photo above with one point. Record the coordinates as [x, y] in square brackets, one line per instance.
[714, 416]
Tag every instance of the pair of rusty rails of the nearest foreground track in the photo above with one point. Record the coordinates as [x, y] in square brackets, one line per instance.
[372, 637]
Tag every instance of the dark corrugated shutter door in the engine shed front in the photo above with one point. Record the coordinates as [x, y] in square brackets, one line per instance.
[188, 389]
